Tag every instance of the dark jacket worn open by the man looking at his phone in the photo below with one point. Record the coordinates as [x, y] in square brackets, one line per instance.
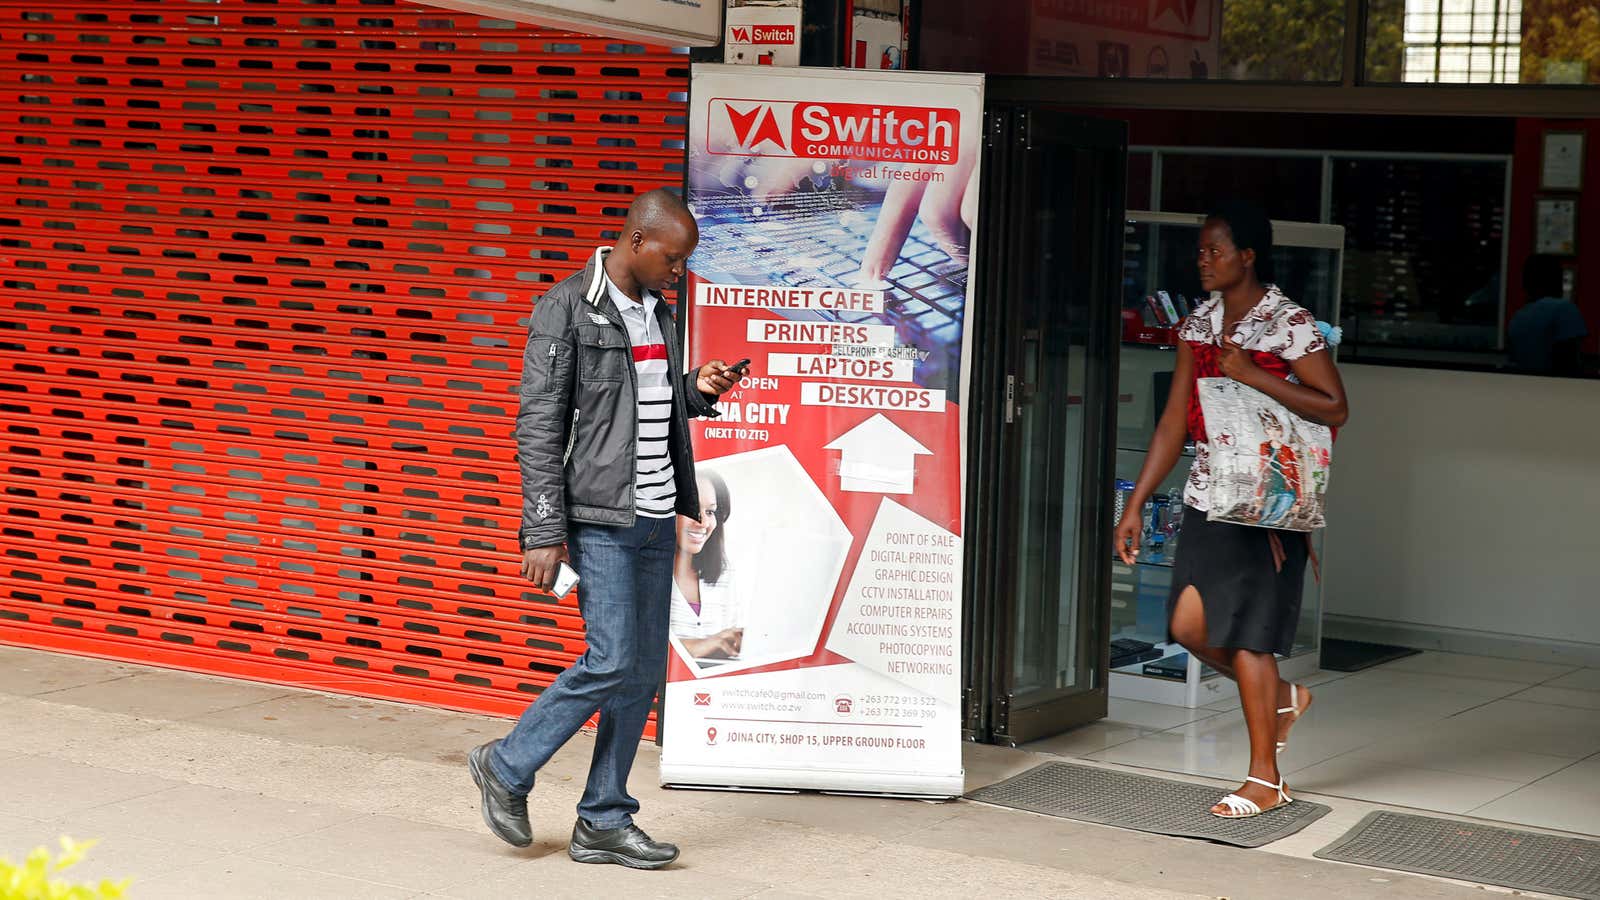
[578, 422]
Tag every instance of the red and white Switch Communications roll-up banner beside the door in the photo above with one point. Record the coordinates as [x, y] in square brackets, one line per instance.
[817, 605]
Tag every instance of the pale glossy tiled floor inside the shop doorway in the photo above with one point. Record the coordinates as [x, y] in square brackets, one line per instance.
[1471, 736]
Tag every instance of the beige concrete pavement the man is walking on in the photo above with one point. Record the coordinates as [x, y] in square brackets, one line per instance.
[202, 787]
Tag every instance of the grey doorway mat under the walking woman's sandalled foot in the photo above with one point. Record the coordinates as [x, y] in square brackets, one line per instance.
[1143, 805]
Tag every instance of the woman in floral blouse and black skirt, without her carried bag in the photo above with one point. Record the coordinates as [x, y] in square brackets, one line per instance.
[1238, 590]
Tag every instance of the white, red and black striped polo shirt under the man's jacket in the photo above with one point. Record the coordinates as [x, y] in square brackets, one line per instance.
[655, 494]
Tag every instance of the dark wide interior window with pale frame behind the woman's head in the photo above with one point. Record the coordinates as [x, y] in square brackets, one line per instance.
[1425, 238]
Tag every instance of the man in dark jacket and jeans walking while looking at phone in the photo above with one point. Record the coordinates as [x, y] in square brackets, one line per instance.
[604, 448]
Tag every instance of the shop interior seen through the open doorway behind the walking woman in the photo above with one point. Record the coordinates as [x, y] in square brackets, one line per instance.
[1415, 180]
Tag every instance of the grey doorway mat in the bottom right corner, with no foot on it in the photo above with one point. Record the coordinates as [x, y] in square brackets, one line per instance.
[1466, 851]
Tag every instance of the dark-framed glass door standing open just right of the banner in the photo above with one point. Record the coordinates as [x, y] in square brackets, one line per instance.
[1044, 438]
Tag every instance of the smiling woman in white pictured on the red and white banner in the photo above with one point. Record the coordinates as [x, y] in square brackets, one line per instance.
[705, 609]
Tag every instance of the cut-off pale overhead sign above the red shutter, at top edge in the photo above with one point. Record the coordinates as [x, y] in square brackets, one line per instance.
[671, 23]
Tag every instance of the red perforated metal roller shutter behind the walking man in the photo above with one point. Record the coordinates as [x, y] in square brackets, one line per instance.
[266, 270]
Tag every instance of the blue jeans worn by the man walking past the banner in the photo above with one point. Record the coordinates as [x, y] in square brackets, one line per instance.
[626, 598]
